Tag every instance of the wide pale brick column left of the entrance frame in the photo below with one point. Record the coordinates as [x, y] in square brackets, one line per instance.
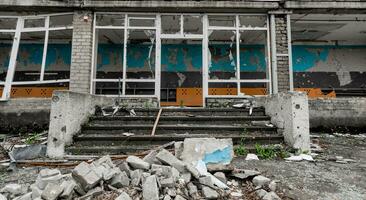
[82, 49]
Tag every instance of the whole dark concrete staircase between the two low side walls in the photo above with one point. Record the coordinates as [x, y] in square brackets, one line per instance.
[107, 134]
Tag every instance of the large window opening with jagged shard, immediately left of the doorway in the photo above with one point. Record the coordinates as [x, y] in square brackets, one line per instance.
[141, 54]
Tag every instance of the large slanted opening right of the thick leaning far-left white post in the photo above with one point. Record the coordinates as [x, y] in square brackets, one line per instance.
[29, 58]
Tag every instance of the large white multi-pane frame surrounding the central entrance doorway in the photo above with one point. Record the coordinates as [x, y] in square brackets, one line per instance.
[181, 35]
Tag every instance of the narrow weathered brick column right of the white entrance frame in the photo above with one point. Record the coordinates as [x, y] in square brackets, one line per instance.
[282, 53]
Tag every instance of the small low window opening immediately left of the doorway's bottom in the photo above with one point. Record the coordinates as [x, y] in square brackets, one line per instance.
[140, 88]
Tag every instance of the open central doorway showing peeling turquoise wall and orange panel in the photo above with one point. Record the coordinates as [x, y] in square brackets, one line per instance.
[181, 72]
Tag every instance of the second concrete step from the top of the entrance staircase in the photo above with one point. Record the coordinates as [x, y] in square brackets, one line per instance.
[165, 120]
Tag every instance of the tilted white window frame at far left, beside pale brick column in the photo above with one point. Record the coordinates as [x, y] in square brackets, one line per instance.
[15, 47]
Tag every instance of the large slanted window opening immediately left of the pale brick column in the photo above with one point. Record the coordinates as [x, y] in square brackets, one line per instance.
[58, 57]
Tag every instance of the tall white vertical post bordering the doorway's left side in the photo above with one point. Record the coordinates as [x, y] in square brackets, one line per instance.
[158, 57]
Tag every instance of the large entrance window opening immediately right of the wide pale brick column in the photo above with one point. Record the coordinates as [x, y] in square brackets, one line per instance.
[110, 54]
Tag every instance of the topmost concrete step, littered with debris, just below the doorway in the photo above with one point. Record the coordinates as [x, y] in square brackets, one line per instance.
[190, 112]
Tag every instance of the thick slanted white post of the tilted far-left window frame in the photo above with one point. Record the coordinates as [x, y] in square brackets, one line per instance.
[13, 57]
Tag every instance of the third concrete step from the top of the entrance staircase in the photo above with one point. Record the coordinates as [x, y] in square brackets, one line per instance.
[175, 129]
